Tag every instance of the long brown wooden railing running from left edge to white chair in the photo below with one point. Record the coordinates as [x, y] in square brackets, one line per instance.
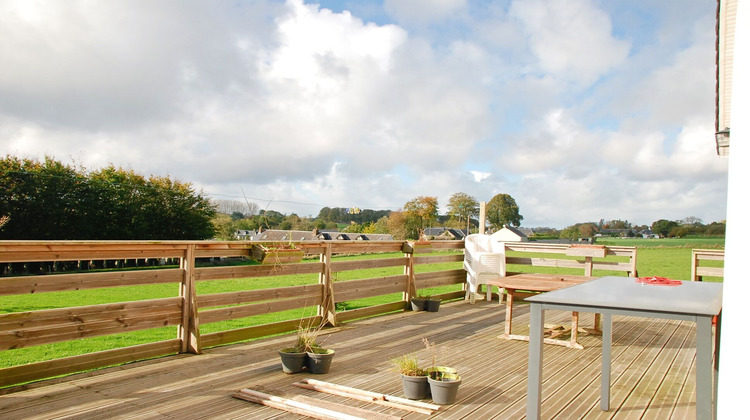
[188, 310]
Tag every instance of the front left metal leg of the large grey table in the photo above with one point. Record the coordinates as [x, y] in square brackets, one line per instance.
[536, 340]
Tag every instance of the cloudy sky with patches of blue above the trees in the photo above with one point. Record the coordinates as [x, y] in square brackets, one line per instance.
[581, 110]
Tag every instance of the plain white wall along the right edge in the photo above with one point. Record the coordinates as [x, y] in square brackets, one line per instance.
[734, 369]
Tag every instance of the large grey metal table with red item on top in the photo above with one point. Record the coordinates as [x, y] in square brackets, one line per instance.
[698, 302]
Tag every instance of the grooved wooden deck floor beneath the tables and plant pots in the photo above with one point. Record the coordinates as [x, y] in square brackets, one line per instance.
[652, 370]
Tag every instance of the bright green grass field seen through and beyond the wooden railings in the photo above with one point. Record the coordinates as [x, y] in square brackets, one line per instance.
[656, 257]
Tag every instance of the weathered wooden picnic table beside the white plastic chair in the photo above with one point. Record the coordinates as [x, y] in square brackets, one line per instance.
[539, 283]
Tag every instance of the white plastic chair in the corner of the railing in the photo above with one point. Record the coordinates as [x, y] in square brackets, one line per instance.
[484, 258]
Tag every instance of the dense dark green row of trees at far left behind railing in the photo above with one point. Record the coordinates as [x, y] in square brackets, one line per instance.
[54, 201]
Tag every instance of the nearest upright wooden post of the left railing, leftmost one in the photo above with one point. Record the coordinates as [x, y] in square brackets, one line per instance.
[189, 330]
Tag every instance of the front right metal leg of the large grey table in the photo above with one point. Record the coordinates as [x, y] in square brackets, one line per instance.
[704, 368]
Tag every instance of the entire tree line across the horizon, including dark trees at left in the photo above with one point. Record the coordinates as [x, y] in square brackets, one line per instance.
[54, 201]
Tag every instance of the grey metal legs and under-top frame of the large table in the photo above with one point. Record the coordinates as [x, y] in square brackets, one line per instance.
[706, 374]
